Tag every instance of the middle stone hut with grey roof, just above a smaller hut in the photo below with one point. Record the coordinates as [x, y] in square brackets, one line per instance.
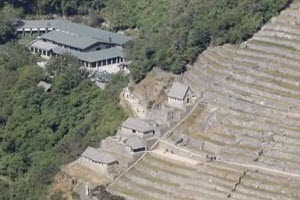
[137, 127]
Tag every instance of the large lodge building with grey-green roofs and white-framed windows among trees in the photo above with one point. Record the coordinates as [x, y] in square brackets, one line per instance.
[91, 46]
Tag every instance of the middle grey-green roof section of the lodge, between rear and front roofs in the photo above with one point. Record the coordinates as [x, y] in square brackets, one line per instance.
[69, 39]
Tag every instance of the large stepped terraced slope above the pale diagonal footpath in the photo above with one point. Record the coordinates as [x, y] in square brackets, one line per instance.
[253, 96]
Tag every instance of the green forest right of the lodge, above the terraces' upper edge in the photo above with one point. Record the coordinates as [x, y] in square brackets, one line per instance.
[173, 33]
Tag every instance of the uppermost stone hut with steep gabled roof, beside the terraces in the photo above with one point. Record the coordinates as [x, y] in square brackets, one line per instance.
[180, 95]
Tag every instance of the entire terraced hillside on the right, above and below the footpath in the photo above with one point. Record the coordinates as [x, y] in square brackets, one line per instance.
[250, 124]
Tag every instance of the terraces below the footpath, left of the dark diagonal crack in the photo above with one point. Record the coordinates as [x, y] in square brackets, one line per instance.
[186, 181]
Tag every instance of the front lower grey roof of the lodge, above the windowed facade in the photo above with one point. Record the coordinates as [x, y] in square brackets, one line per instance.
[93, 56]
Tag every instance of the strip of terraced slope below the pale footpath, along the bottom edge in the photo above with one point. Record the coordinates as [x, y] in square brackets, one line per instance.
[158, 178]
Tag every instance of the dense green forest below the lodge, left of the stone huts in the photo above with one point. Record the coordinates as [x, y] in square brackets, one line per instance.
[40, 131]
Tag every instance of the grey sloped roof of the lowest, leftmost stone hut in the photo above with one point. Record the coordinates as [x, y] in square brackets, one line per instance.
[98, 156]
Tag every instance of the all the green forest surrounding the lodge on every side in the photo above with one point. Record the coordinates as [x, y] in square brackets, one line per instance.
[41, 131]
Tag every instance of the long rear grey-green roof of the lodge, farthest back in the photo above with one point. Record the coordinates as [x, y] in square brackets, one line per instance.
[81, 30]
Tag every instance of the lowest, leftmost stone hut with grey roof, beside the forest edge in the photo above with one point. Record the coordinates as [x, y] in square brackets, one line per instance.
[98, 161]
